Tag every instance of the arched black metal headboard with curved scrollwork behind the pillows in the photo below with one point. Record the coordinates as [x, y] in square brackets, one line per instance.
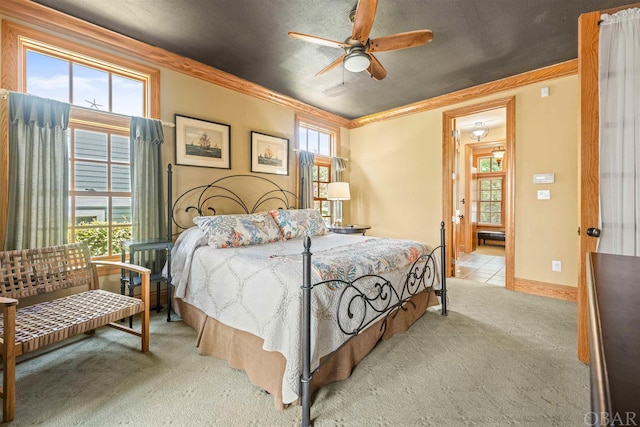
[242, 193]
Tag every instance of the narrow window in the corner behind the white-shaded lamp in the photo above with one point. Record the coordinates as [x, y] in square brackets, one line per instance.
[320, 140]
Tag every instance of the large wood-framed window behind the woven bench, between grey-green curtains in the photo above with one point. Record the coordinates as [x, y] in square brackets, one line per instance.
[104, 92]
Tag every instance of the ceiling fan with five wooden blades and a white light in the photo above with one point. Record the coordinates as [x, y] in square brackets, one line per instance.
[359, 47]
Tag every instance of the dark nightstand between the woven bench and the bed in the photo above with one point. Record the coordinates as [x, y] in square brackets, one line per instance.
[135, 248]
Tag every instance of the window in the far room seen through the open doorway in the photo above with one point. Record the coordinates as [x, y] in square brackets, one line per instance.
[491, 191]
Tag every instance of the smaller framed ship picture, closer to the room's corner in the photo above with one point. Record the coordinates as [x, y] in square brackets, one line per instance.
[269, 154]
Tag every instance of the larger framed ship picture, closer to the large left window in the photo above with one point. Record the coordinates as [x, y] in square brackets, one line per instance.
[202, 143]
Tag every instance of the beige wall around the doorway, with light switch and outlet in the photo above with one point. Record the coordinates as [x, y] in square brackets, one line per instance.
[397, 178]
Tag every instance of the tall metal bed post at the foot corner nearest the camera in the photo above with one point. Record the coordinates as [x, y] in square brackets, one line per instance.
[305, 377]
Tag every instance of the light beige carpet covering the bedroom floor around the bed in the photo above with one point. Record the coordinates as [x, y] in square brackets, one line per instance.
[500, 358]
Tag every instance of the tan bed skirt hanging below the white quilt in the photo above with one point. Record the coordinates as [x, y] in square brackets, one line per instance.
[265, 369]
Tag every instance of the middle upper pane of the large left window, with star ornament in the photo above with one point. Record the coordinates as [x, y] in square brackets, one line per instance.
[90, 88]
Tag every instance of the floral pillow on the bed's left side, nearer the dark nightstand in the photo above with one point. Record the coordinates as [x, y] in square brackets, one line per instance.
[227, 231]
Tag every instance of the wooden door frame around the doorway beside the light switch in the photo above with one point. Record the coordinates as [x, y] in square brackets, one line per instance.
[448, 158]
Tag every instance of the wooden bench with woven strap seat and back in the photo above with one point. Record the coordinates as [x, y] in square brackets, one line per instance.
[25, 273]
